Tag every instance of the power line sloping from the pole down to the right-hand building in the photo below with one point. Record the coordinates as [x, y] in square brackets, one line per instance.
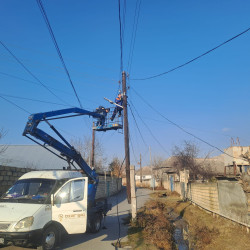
[176, 125]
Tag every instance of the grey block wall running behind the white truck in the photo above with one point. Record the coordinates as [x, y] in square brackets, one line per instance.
[9, 175]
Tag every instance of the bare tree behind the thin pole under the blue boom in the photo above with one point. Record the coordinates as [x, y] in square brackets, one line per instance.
[84, 147]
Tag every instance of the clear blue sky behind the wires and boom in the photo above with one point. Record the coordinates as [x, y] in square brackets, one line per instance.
[209, 97]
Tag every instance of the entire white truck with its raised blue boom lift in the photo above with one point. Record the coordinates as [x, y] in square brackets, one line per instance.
[42, 205]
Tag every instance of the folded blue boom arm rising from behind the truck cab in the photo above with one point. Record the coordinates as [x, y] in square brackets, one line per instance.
[65, 149]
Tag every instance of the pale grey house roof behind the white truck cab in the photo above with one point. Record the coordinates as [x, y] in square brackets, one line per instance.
[30, 156]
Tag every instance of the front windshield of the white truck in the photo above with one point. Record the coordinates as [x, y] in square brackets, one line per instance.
[29, 190]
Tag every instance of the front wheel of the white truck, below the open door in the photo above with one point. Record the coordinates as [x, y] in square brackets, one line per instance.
[50, 238]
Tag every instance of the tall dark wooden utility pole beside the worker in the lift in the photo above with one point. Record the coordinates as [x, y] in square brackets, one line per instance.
[126, 136]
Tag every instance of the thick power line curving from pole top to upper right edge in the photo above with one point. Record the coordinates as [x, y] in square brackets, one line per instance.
[194, 59]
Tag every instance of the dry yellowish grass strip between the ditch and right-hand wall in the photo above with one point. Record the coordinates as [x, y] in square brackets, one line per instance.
[206, 231]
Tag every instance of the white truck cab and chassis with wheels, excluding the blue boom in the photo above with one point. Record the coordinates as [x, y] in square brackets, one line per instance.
[42, 205]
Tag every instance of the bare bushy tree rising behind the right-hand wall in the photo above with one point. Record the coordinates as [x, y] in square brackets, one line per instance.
[186, 157]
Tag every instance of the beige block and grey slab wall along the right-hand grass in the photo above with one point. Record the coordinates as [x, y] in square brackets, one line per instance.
[226, 198]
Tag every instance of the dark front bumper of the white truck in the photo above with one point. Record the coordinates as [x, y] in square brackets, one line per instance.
[21, 238]
